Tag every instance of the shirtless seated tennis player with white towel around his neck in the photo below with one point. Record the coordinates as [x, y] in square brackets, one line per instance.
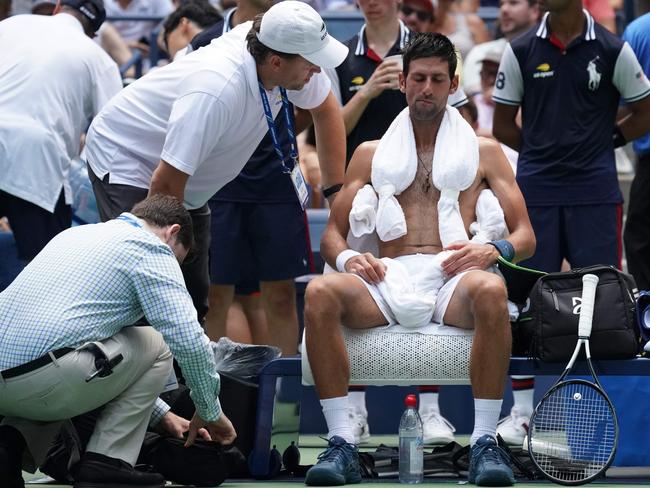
[469, 296]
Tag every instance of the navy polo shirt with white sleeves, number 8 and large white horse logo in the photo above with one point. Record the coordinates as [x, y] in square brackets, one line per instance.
[569, 97]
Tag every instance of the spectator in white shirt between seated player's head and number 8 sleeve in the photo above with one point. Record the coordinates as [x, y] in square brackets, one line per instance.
[515, 18]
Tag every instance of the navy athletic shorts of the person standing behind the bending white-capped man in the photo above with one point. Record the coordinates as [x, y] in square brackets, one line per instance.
[266, 240]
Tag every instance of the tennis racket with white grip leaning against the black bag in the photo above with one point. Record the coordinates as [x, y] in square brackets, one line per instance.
[573, 431]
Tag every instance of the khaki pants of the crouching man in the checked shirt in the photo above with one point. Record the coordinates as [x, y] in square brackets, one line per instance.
[37, 402]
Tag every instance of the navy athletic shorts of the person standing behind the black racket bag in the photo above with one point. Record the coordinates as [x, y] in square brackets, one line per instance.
[584, 235]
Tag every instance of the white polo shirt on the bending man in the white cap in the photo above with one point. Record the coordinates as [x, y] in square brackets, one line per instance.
[202, 114]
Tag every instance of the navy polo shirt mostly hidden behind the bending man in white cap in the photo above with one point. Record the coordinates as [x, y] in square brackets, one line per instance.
[262, 180]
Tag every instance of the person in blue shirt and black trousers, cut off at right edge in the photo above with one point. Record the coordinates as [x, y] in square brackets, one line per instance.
[637, 226]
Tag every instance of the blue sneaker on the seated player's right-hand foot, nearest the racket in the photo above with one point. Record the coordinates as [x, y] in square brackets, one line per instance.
[488, 465]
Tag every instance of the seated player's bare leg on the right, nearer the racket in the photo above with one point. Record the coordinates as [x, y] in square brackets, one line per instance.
[480, 302]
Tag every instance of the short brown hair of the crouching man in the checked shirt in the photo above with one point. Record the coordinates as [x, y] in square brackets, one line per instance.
[164, 210]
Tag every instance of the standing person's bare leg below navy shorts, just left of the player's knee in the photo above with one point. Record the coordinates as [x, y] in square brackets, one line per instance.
[279, 300]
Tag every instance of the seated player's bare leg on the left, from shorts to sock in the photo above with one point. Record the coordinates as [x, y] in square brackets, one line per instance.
[330, 301]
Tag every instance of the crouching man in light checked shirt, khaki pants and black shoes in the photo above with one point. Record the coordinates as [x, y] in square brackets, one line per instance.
[66, 347]
